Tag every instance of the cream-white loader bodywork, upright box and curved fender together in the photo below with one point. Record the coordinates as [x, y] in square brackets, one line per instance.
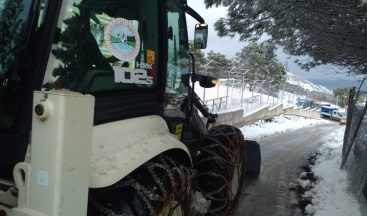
[117, 149]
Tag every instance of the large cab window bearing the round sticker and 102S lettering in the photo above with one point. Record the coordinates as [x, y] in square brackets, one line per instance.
[105, 46]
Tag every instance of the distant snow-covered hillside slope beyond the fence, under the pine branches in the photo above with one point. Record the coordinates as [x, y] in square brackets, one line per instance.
[298, 85]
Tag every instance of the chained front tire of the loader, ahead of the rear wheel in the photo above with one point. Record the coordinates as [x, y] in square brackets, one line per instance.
[222, 149]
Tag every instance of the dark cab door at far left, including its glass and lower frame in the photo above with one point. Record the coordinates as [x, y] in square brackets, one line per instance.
[20, 21]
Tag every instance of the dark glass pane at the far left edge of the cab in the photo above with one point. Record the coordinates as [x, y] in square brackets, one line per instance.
[14, 15]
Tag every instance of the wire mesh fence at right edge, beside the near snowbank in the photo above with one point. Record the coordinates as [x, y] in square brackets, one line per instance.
[354, 155]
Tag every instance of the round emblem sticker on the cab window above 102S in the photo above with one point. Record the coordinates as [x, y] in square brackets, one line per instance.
[122, 39]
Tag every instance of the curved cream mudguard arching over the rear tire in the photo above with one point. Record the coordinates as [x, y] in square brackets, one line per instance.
[120, 147]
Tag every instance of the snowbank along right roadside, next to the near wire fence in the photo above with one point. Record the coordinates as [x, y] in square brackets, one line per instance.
[330, 196]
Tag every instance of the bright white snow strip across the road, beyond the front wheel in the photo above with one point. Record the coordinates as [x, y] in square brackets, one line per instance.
[279, 124]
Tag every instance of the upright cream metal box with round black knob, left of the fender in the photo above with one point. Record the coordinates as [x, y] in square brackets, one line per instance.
[55, 182]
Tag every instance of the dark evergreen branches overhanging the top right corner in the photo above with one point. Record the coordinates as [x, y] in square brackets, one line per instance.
[331, 32]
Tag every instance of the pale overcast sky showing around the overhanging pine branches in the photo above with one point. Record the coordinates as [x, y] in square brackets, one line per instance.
[230, 46]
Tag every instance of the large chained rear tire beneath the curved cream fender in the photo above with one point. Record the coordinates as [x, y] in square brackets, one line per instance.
[158, 183]
